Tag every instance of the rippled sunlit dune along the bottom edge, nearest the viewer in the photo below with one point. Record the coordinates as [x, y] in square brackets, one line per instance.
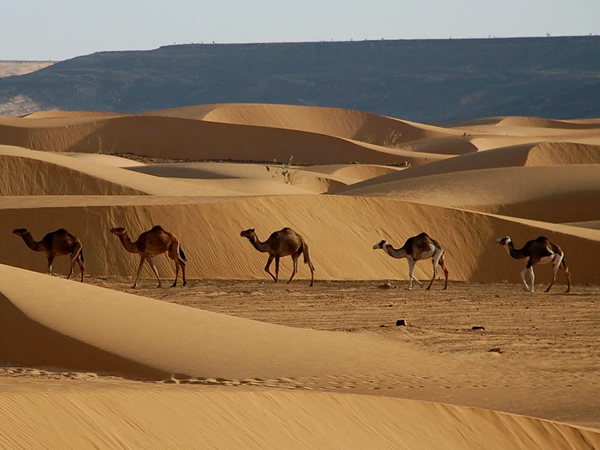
[257, 420]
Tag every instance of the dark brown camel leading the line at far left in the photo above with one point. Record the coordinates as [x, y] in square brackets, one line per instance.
[56, 243]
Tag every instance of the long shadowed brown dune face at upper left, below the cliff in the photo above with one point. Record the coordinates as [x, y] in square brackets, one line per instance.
[190, 139]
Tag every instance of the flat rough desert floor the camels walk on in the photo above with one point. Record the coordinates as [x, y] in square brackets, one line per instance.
[520, 329]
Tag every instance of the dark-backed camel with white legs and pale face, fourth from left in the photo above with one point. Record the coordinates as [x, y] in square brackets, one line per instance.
[415, 249]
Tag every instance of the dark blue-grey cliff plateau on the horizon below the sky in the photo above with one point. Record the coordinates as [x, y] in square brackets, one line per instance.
[432, 81]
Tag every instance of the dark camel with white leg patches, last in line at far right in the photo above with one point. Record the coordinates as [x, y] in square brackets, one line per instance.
[538, 251]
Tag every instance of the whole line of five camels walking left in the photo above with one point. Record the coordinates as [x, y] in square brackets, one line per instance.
[287, 242]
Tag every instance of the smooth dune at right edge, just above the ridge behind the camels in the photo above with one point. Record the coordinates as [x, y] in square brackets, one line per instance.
[573, 191]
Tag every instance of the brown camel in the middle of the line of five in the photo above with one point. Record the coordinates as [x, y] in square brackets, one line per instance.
[285, 242]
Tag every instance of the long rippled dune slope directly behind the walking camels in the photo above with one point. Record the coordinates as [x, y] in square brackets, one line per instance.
[340, 231]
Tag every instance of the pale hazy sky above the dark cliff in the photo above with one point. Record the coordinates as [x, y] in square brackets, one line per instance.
[62, 29]
